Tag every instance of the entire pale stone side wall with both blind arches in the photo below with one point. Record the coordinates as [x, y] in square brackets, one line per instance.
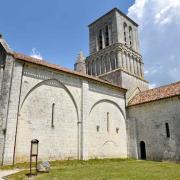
[41, 96]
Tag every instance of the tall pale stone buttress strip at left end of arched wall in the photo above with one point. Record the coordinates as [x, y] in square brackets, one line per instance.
[12, 112]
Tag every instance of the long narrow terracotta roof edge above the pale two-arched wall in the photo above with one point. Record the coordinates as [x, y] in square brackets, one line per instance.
[56, 67]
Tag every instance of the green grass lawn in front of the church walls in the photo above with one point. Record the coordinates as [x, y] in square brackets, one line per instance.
[108, 169]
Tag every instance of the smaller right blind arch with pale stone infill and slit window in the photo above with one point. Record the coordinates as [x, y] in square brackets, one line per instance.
[108, 116]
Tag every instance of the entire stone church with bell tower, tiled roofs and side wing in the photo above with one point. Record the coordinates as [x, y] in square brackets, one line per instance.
[102, 109]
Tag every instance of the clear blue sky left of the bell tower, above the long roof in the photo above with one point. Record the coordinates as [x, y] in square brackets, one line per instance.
[57, 29]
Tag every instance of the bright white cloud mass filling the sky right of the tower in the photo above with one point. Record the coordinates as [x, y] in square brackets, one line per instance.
[159, 27]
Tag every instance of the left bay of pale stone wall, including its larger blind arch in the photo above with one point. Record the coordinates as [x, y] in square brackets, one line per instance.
[41, 89]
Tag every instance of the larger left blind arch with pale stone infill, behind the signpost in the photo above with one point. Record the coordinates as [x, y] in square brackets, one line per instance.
[50, 136]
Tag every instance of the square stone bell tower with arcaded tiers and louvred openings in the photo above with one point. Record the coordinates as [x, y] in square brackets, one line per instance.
[114, 52]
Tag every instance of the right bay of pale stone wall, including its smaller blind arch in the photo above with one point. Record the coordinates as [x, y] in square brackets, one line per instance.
[105, 139]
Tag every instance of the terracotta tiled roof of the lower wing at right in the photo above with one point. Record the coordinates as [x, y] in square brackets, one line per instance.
[156, 94]
